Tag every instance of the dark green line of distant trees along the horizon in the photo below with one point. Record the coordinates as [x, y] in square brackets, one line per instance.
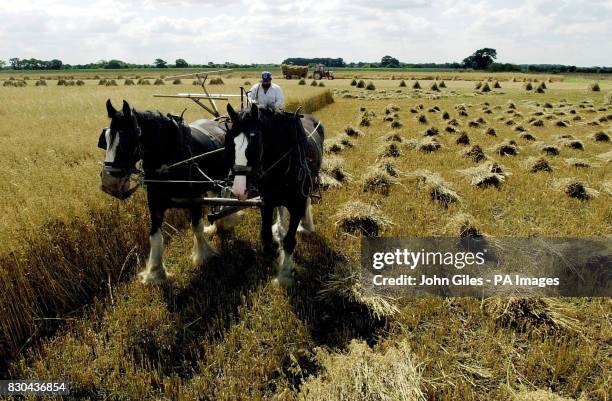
[482, 59]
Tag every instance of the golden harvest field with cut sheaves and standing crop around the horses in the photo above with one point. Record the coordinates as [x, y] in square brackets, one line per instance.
[72, 307]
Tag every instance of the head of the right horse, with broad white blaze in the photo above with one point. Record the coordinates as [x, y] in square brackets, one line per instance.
[243, 147]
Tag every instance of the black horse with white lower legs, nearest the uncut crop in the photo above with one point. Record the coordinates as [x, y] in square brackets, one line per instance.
[159, 141]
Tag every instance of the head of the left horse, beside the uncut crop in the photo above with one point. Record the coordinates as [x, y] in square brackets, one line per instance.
[121, 140]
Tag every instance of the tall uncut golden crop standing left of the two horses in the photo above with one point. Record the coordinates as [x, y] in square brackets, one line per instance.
[58, 227]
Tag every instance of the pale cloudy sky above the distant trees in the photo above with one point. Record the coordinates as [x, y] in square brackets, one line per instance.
[574, 32]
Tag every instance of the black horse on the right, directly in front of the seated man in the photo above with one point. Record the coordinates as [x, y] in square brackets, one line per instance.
[276, 155]
